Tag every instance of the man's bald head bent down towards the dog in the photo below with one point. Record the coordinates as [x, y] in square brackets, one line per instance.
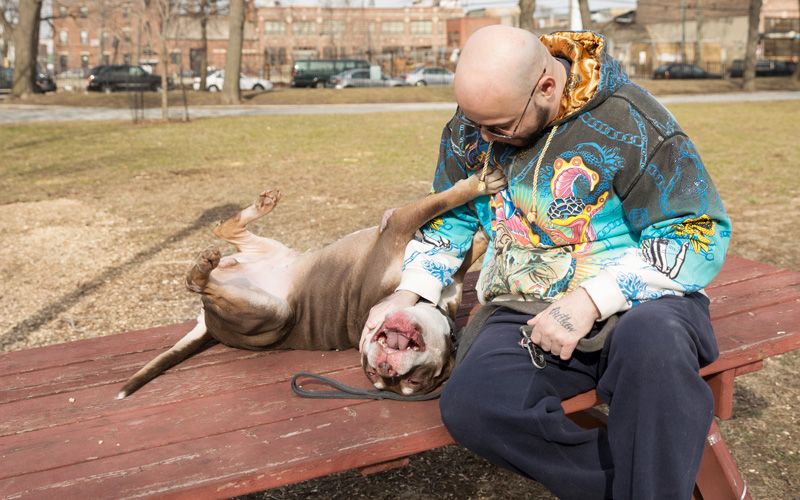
[496, 73]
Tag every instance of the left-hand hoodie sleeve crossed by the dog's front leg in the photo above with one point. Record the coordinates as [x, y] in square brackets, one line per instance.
[438, 248]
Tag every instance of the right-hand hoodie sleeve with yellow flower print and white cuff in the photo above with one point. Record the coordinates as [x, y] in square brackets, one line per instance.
[682, 228]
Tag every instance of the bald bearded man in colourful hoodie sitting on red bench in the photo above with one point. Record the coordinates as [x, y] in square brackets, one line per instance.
[609, 220]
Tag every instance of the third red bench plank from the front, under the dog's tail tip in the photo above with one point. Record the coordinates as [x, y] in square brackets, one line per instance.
[86, 404]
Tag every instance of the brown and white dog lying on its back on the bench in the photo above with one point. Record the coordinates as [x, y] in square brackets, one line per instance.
[268, 296]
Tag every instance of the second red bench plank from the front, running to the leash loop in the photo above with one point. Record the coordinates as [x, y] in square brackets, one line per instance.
[142, 428]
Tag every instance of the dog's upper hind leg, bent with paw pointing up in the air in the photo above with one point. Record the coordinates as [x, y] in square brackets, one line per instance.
[234, 230]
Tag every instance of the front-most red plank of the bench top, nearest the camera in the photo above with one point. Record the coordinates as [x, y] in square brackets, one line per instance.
[261, 457]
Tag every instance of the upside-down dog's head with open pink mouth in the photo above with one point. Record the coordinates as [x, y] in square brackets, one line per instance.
[411, 352]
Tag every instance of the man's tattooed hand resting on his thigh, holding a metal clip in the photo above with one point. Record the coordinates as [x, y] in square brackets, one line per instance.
[558, 328]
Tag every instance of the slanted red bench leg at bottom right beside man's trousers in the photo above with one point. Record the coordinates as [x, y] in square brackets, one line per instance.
[719, 478]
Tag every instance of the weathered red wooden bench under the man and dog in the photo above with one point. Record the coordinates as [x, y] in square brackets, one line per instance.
[226, 422]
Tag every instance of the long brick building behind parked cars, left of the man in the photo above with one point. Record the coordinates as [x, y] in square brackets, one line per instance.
[91, 32]
